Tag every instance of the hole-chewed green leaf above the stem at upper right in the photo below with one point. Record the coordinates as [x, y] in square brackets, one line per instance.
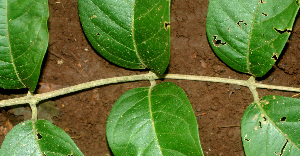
[249, 35]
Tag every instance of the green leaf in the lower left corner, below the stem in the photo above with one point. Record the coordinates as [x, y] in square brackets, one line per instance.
[38, 138]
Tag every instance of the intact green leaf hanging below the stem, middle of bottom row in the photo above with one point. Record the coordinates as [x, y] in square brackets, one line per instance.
[153, 121]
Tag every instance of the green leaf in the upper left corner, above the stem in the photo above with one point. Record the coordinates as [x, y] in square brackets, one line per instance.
[23, 42]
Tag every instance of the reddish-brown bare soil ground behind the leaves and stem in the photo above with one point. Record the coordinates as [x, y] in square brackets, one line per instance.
[219, 108]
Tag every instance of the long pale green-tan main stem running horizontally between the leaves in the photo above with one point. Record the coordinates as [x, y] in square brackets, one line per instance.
[149, 77]
